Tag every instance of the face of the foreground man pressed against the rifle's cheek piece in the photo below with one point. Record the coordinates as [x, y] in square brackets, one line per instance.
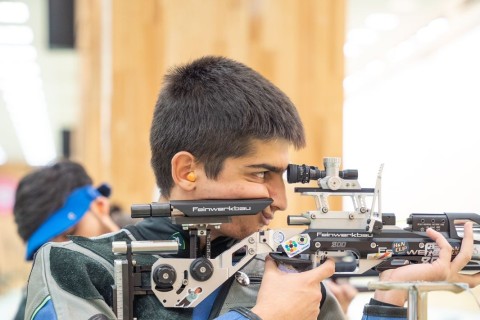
[257, 175]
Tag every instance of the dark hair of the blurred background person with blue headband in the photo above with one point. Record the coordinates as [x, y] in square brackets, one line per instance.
[44, 191]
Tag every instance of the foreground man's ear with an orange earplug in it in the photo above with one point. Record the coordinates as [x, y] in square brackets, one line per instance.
[183, 170]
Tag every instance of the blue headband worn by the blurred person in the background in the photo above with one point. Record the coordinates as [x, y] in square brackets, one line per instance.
[76, 205]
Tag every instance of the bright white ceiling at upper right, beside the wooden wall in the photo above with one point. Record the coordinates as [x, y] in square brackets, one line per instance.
[423, 27]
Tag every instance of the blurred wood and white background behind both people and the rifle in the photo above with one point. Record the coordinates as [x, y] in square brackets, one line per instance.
[375, 82]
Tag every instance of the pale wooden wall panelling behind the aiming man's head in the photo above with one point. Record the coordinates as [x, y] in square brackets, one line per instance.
[296, 44]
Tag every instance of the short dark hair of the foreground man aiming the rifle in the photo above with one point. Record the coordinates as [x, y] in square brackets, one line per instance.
[213, 107]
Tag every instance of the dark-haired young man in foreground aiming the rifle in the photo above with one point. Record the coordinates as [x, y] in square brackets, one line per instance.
[220, 131]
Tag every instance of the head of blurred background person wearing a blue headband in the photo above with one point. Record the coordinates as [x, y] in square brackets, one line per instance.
[56, 201]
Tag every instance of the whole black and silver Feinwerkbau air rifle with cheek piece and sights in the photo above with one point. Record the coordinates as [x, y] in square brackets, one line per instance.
[359, 240]
